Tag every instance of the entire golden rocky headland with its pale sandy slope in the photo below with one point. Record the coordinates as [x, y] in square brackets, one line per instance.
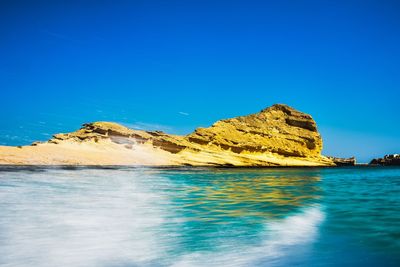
[276, 136]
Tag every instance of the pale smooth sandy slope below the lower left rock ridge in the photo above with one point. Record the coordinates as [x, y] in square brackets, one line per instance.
[88, 153]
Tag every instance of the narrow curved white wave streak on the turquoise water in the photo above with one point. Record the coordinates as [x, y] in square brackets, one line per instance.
[280, 237]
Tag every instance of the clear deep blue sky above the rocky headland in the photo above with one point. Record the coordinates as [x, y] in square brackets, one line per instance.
[176, 65]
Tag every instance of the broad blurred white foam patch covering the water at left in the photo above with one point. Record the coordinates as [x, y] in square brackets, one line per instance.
[112, 225]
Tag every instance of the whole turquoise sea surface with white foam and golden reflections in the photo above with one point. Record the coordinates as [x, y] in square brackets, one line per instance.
[120, 217]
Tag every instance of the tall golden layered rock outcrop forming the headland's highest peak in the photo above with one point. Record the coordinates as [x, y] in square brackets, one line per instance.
[279, 129]
